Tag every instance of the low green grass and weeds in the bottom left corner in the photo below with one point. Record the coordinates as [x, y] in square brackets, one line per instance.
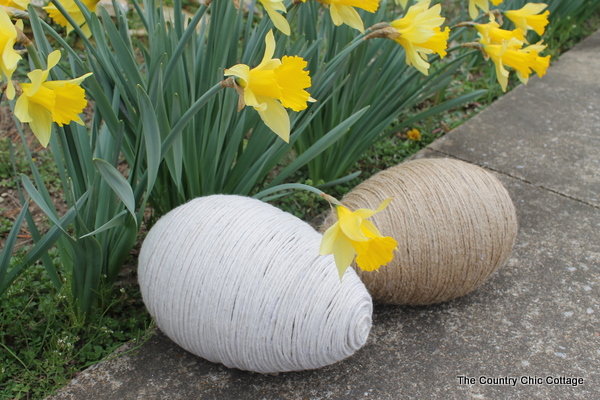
[43, 344]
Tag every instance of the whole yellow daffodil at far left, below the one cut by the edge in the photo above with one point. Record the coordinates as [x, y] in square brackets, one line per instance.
[43, 102]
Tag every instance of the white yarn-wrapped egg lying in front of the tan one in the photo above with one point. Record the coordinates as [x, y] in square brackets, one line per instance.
[240, 282]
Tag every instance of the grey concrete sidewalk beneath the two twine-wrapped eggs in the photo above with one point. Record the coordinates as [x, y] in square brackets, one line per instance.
[537, 317]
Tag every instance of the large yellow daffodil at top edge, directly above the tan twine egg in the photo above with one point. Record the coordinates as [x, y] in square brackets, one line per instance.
[420, 34]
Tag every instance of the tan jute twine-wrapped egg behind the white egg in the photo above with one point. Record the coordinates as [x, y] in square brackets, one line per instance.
[454, 222]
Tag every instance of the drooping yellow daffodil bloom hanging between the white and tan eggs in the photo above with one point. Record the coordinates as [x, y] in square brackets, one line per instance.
[353, 235]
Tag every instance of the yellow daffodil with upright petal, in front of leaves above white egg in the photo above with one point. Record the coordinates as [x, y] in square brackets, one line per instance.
[273, 85]
